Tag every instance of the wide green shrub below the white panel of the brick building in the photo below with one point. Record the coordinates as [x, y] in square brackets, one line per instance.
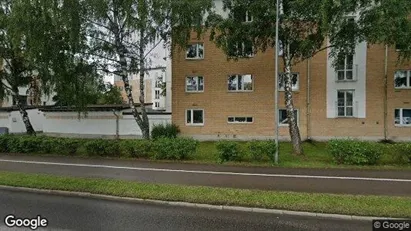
[355, 152]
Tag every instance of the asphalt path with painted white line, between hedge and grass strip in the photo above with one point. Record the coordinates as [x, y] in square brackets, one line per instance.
[365, 182]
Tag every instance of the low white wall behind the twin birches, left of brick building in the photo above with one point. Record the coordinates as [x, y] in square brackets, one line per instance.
[95, 125]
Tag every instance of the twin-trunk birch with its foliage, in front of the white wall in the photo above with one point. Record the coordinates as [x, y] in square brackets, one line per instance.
[122, 34]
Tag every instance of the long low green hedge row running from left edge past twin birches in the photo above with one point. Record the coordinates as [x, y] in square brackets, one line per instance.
[162, 148]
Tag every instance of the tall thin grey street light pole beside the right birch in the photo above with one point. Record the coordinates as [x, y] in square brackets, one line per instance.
[276, 113]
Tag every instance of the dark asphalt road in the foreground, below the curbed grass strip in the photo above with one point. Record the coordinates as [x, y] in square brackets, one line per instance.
[75, 213]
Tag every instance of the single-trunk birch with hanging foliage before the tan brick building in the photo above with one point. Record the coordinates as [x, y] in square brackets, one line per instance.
[307, 27]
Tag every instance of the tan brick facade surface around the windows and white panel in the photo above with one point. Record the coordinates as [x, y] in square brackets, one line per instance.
[218, 104]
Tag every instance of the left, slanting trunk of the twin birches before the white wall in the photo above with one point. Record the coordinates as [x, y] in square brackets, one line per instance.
[124, 76]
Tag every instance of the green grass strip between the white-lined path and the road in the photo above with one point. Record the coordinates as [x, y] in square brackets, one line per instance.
[382, 206]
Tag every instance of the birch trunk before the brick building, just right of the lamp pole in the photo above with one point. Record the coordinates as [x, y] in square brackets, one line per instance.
[293, 127]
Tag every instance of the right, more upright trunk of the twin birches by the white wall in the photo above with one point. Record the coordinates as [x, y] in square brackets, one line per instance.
[146, 126]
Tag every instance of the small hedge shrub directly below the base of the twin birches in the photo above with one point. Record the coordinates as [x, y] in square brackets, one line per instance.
[135, 148]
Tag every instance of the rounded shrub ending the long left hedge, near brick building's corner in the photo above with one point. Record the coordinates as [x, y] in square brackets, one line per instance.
[174, 149]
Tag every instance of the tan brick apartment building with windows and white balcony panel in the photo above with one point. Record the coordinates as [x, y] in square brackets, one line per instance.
[217, 98]
